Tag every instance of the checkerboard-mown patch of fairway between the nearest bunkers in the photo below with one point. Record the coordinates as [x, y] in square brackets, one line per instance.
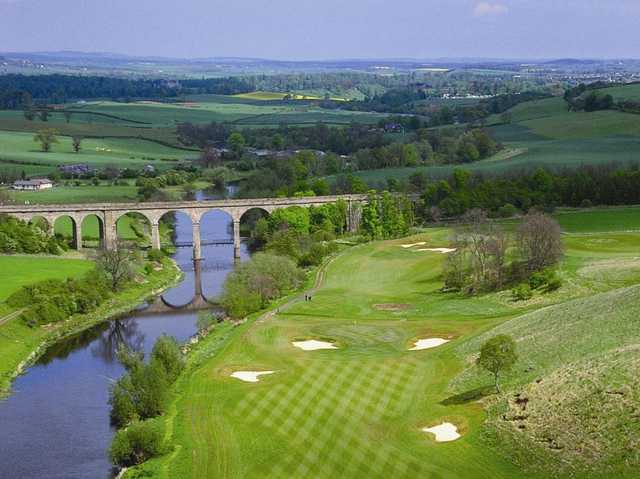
[321, 413]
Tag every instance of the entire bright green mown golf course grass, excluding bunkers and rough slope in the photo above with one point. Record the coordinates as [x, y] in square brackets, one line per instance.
[356, 412]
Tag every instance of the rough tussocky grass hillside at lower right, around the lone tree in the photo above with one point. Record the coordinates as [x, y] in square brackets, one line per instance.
[573, 395]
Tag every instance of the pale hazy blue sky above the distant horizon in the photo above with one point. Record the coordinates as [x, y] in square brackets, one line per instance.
[326, 29]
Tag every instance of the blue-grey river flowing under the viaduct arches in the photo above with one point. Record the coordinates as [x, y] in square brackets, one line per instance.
[55, 423]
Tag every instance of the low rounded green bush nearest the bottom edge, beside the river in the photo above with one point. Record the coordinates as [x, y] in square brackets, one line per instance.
[139, 442]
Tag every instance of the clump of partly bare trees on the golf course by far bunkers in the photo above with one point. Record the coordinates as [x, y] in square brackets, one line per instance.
[486, 258]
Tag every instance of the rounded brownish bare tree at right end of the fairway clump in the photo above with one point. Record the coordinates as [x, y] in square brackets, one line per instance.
[539, 241]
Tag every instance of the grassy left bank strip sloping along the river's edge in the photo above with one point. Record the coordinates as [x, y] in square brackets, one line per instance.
[35, 341]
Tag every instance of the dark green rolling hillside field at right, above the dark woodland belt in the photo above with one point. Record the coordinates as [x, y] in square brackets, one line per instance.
[544, 133]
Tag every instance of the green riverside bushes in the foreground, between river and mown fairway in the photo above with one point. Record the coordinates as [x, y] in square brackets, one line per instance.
[140, 395]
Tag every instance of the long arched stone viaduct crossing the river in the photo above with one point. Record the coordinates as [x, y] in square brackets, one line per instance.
[109, 213]
